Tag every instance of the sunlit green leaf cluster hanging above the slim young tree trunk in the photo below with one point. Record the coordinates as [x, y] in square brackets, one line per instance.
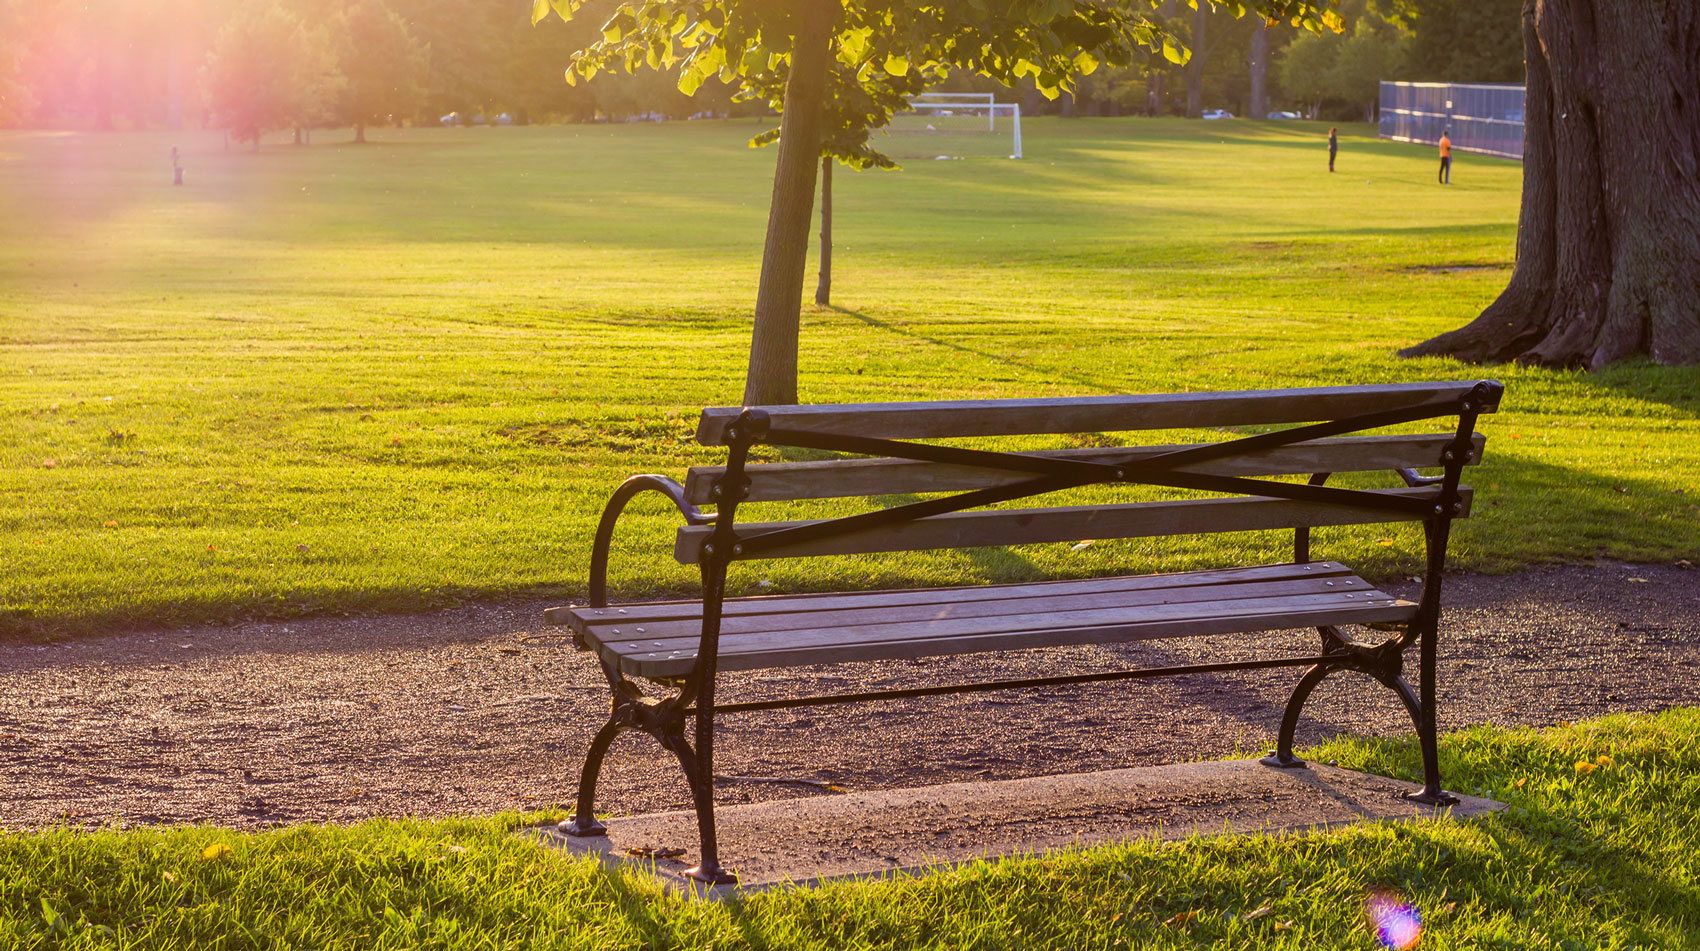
[885, 52]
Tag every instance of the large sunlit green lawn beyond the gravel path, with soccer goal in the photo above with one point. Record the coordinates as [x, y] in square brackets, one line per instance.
[405, 375]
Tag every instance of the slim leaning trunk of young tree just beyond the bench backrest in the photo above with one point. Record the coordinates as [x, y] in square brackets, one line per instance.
[779, 299]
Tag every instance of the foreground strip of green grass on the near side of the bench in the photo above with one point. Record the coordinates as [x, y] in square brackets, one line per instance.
[1587, 857]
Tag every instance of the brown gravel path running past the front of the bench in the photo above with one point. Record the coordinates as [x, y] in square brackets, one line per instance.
[470, 712]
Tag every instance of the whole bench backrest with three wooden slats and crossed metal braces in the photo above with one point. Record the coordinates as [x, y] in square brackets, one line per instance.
[893, 464]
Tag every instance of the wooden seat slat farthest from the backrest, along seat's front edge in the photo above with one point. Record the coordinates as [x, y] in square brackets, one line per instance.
[581, 618]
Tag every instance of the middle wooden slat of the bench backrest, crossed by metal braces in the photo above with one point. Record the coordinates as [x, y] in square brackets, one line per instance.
[841, 479]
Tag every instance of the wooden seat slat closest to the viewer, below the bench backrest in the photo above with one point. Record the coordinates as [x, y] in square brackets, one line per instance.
[752, 652]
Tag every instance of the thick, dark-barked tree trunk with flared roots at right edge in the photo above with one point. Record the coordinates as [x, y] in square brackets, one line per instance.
[1609, 237]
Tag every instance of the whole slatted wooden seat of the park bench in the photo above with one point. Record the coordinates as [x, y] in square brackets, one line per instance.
[660, 641]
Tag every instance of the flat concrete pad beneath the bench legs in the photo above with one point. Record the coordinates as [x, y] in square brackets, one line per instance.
[880, 833]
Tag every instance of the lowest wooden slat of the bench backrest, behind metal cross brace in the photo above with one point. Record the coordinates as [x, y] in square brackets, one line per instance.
[1072, 523]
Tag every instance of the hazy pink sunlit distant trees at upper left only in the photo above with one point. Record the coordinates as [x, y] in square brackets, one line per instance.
[258, 65]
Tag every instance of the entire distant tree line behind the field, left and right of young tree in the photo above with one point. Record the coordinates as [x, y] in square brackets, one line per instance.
[261, 65]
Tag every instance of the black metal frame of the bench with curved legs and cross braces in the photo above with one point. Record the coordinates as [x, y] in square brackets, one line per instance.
[664, 719]
